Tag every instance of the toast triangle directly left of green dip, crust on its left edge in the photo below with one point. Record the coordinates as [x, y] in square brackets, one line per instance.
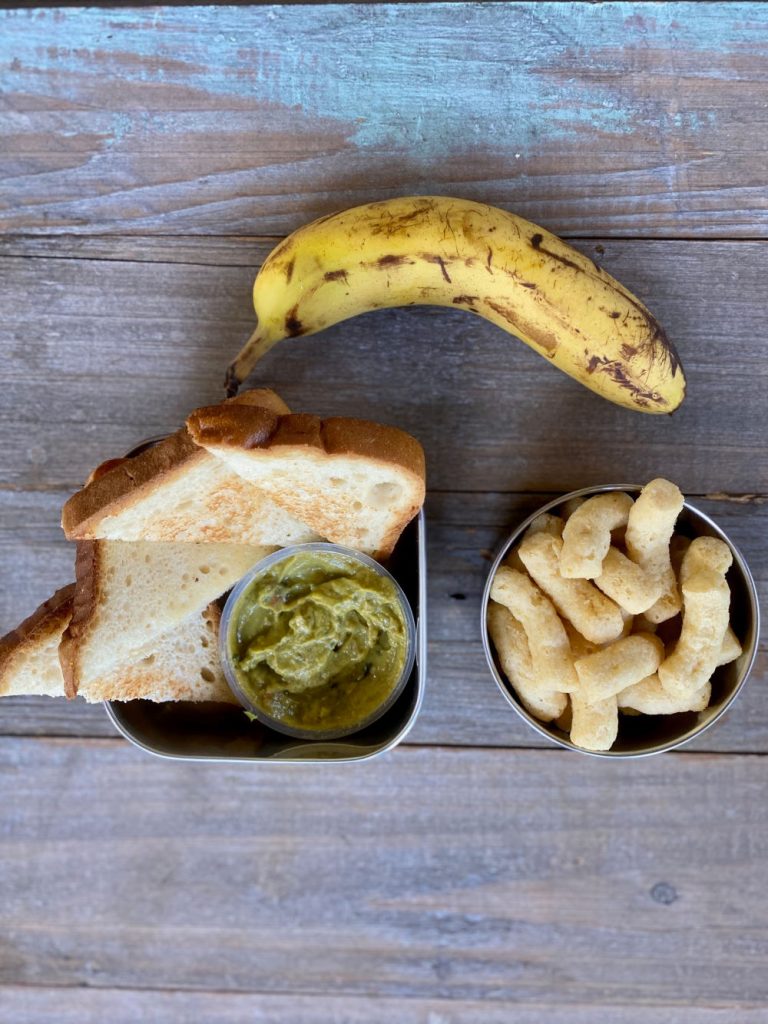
[131, 593]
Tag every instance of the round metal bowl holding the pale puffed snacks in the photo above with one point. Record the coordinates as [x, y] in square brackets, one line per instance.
[643, 736]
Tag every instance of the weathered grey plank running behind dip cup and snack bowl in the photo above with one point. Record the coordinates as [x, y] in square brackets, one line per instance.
[462, 706]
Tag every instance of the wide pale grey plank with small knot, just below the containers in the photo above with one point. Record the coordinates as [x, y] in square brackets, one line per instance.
[525, 877]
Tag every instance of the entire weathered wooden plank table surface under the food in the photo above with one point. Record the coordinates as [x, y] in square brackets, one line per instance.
[150, 158]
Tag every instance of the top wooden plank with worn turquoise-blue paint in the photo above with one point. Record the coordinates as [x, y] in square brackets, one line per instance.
[614, 119]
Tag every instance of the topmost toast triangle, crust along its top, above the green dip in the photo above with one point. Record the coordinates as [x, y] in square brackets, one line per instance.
[356, 483]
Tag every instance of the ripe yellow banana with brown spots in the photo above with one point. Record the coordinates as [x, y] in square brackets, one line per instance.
[453, 252]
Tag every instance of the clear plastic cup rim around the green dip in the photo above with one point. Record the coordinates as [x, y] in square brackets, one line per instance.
[229, 624]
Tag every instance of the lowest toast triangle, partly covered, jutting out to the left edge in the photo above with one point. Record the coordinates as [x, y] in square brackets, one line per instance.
[184, 665]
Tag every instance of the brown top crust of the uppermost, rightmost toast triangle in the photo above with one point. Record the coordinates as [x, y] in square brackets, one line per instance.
[253, 428]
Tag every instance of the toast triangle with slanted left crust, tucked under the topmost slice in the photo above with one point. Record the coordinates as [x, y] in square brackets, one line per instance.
[176, 491]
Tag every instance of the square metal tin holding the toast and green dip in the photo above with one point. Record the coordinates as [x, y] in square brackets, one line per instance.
[217, 733]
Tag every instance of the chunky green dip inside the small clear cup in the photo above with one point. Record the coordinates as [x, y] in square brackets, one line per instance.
[319, 642]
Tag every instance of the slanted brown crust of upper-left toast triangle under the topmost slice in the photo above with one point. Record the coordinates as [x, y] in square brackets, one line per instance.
[109, 493]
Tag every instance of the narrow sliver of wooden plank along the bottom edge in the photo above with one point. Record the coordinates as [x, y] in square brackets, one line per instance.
[78, 1006]
